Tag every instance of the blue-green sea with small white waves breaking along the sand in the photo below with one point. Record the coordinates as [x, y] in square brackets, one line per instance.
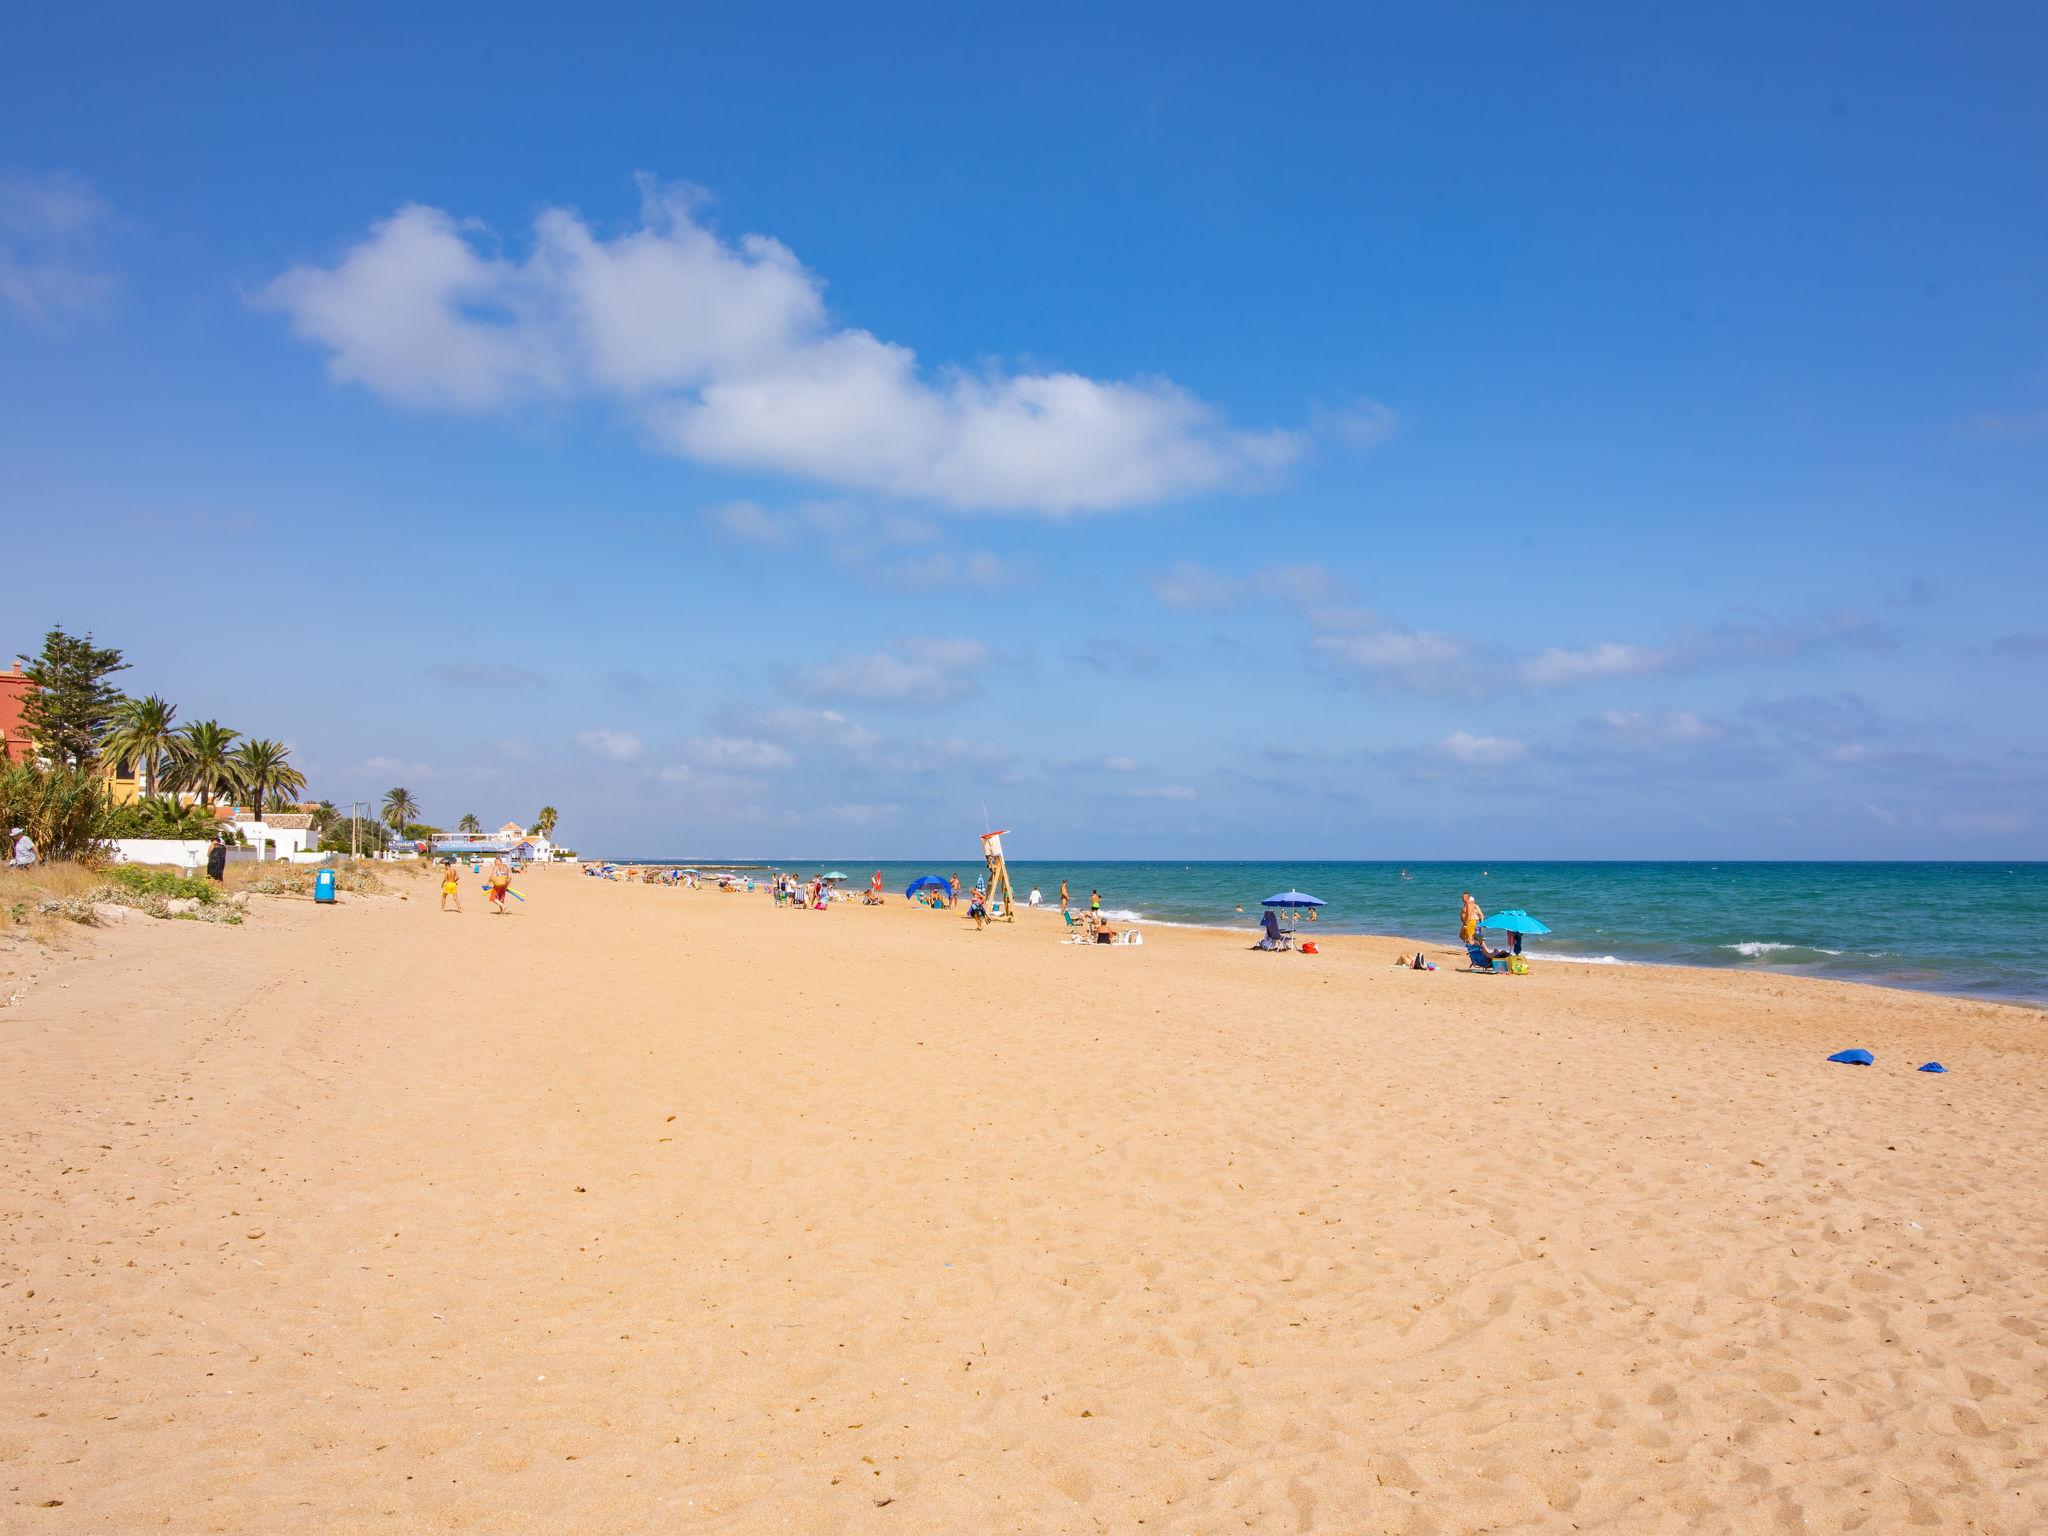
[1977, 931]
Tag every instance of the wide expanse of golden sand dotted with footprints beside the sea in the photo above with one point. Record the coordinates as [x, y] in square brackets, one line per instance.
[646, 1211]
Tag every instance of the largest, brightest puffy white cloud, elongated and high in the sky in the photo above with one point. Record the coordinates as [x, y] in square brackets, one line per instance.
[726, 353]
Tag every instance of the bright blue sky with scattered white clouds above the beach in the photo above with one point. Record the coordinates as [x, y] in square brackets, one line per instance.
[1181, 431]
